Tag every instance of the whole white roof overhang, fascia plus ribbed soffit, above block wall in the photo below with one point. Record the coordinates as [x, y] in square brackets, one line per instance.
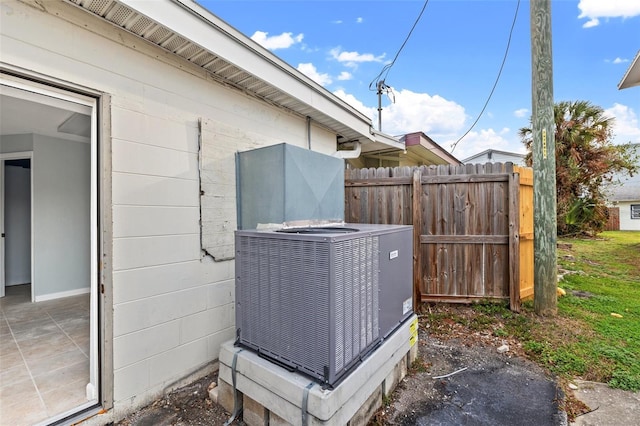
[193, 33]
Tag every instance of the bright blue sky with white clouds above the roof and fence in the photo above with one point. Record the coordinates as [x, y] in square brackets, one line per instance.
[444, 74]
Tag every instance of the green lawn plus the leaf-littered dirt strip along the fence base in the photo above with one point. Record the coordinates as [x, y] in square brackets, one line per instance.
[584, 340]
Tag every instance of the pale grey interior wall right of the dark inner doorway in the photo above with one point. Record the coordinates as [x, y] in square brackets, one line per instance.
[61, 211]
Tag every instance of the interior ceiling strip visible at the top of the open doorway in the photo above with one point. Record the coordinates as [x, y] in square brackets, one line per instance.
[22, 116]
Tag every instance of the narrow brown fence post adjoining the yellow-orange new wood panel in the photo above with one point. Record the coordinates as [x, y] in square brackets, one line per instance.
[514, 242]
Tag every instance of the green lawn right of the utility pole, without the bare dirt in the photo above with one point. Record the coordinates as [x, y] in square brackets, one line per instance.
[607, 348]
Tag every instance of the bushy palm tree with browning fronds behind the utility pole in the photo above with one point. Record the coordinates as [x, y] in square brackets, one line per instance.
[585, 159]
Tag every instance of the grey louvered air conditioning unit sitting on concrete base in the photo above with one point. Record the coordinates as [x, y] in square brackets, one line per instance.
[318, 300]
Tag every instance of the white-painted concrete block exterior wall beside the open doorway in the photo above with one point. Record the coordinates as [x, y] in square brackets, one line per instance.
[172, 307]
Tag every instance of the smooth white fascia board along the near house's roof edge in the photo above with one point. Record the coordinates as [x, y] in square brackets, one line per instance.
[206, 31]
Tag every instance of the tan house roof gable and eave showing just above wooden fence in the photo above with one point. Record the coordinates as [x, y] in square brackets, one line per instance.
[414, 149]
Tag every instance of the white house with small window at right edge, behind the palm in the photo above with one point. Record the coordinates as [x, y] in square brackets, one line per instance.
[623, 198]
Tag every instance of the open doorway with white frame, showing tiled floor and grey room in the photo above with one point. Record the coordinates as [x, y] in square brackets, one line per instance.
[48, 255]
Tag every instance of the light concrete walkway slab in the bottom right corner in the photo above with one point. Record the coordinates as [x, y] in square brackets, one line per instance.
[610, 407]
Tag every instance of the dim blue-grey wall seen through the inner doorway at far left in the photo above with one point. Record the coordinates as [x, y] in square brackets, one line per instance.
[17, 221]
